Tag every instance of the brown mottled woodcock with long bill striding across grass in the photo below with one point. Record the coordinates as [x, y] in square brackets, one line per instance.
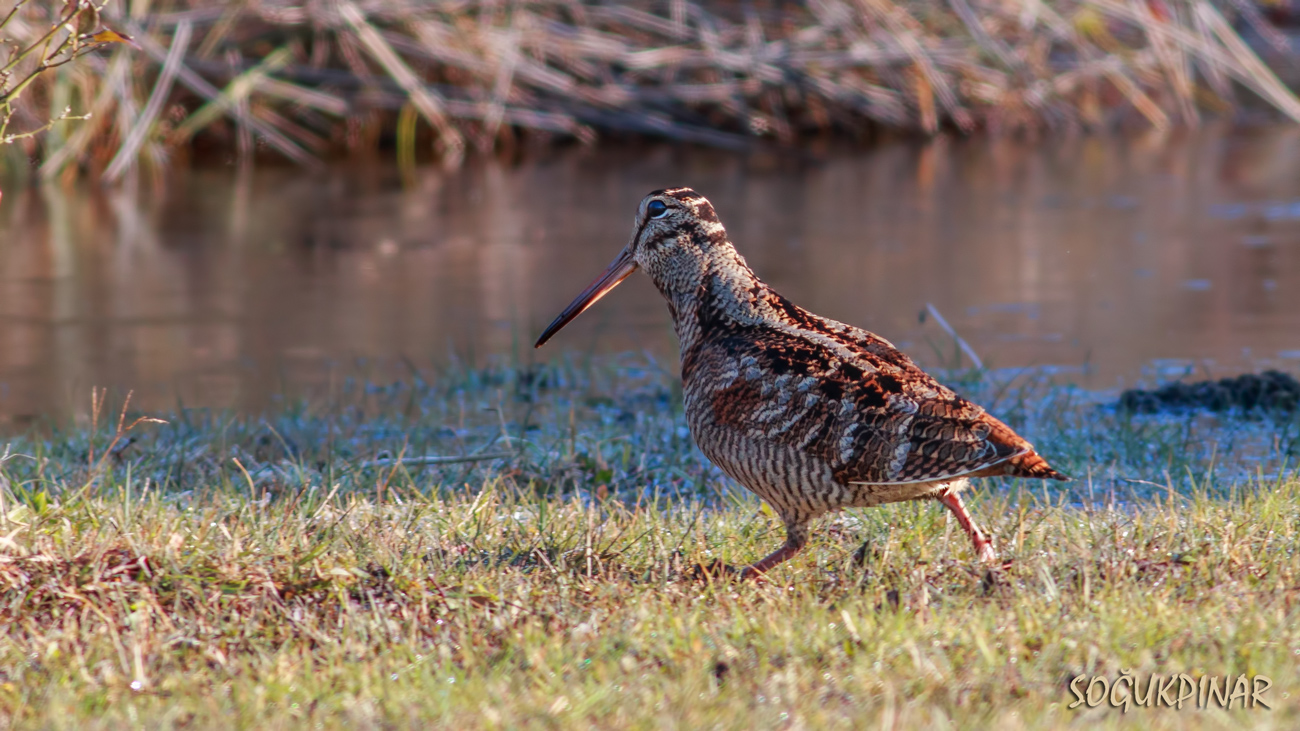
[811, 414]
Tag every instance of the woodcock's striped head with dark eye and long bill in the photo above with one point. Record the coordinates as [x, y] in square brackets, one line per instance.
[677, 239]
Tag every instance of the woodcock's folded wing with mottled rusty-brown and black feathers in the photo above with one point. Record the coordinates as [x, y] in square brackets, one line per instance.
[856, 403]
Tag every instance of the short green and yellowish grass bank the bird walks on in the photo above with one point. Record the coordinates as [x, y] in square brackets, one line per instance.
[305, 569]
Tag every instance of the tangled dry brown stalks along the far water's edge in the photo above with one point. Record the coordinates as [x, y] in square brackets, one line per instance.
[304, 79]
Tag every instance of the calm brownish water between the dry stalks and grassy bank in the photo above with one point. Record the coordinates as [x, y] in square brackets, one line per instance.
[1097, 256]
